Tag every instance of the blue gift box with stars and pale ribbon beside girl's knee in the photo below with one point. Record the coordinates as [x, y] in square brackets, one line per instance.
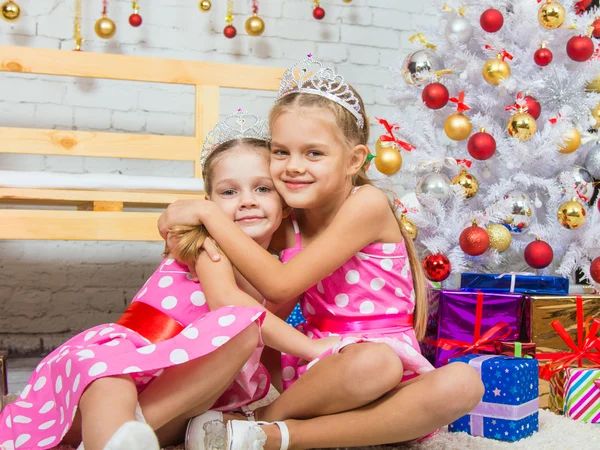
[509, 408]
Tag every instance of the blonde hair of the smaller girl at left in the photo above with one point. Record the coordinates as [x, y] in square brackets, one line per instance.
[191, 238]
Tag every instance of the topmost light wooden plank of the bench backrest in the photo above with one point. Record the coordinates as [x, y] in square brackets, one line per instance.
[137, 68]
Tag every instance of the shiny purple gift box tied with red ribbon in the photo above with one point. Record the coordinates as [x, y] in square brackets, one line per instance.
[469, 322]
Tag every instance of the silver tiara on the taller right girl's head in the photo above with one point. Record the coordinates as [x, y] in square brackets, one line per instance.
[310, 77]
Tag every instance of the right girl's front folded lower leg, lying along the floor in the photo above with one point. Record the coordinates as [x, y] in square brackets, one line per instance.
[417, 409]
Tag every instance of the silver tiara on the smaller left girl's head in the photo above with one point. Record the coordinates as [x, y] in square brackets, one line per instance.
[238, 125]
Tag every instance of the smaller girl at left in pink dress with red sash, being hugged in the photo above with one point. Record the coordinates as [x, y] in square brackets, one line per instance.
[178, 350]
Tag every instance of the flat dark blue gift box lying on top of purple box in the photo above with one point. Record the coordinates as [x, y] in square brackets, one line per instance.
[524, 283]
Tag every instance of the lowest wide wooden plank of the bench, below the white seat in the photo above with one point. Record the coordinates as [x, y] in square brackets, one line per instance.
[78, 225]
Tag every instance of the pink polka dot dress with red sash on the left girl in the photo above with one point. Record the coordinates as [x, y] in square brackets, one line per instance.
[44, 412]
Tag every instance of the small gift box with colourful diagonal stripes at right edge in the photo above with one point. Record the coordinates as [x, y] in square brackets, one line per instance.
[582, 394]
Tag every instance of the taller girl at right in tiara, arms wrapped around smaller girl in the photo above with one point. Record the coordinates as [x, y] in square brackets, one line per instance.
[359, 277]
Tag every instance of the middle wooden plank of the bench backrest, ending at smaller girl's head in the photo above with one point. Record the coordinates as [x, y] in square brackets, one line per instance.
[87, 143]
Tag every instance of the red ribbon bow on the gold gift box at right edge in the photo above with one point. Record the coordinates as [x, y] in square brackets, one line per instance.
[588, 344]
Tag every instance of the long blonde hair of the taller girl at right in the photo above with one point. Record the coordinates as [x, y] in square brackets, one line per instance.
[353, 135]
